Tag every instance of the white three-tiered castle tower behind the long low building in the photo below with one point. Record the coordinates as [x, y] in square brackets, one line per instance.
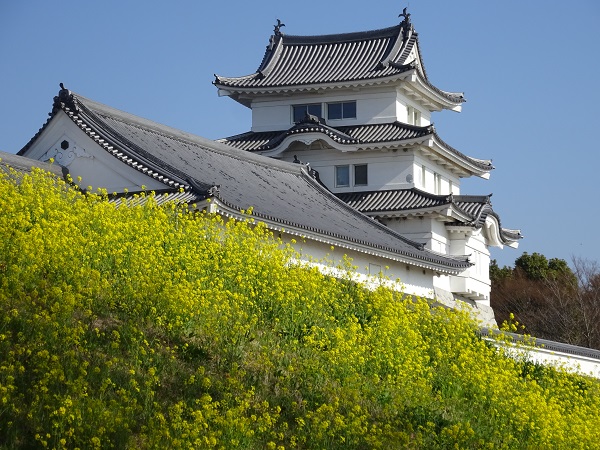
[358, 106]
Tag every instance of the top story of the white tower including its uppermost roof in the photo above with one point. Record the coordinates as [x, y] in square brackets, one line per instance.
[346, 79]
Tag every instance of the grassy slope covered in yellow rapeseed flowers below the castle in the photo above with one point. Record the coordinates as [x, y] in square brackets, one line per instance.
[155, 327]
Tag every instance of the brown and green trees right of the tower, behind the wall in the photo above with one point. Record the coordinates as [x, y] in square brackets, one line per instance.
[549, 298]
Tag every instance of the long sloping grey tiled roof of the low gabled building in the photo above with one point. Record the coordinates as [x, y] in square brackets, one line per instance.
[279, 192]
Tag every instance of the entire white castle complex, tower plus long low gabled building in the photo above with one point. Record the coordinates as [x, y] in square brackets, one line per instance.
[382, 187]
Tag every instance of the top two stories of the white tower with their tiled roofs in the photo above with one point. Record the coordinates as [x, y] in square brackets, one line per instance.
[356, 105]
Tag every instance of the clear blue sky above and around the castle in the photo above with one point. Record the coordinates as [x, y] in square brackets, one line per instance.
[530, 72]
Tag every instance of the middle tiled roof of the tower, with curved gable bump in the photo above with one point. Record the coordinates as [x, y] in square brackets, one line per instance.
[361, 135]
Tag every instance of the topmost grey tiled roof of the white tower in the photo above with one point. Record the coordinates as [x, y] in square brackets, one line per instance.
[337, 58]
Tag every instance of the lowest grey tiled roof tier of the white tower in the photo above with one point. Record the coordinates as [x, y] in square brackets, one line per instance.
[474, 208]
